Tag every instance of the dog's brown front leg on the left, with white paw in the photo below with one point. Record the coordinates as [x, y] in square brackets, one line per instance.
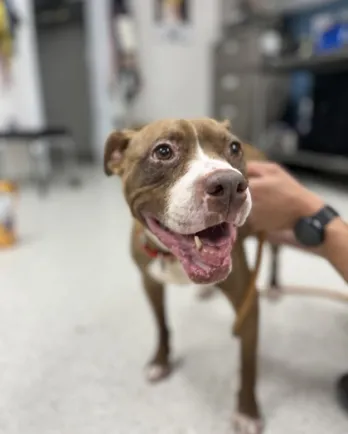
[159, 366]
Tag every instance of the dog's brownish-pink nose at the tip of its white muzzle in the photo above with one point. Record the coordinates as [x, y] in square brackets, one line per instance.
[226, 187]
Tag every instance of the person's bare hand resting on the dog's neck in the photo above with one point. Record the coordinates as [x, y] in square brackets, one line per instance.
[279, 200]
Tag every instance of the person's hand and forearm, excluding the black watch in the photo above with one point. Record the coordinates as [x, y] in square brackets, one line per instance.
[279, 201]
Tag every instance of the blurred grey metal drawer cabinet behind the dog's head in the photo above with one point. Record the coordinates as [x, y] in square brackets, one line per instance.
[240, 90]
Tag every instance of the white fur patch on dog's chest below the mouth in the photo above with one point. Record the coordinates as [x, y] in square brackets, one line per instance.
[168, 272]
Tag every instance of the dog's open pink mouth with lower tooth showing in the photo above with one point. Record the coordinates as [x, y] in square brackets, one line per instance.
[205, 255]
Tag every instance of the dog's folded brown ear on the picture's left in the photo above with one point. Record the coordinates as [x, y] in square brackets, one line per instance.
[115, 148]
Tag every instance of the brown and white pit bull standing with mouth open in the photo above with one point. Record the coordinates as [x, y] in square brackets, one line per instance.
[186, 187]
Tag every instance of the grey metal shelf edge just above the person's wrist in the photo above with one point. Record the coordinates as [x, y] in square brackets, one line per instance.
[324, 162]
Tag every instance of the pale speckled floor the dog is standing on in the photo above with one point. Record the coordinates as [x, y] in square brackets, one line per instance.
[75, 331]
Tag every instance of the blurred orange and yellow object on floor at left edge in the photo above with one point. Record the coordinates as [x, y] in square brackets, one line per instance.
[8, 192]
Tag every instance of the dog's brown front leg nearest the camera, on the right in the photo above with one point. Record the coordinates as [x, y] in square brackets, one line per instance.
[247, 417]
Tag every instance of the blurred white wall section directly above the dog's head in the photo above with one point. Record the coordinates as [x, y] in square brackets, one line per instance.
[177, 78]
